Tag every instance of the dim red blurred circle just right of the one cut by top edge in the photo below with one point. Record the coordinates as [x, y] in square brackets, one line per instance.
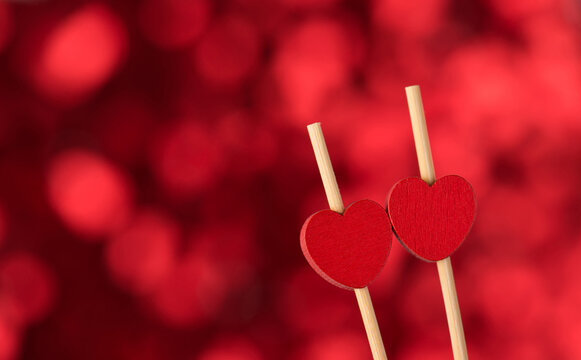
[229, 52]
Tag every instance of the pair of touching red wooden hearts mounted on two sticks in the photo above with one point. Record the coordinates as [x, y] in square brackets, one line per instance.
[350, 249]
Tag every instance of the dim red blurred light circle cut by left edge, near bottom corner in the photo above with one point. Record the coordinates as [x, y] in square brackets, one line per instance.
[28, 288]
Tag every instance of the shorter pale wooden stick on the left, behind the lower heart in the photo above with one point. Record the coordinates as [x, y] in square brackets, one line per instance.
[336, 204]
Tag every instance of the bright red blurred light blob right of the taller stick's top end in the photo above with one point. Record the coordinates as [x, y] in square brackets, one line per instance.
[483, 88]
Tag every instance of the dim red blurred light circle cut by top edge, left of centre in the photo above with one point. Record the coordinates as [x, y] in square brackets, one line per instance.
[173, 23]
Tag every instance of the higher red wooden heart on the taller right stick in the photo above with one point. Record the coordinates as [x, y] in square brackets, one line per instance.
[432, 221]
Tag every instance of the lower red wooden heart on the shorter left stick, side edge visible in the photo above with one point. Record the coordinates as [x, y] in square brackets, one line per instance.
[348, 250]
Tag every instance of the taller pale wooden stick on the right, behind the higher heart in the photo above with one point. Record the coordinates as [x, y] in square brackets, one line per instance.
[444, 266]
